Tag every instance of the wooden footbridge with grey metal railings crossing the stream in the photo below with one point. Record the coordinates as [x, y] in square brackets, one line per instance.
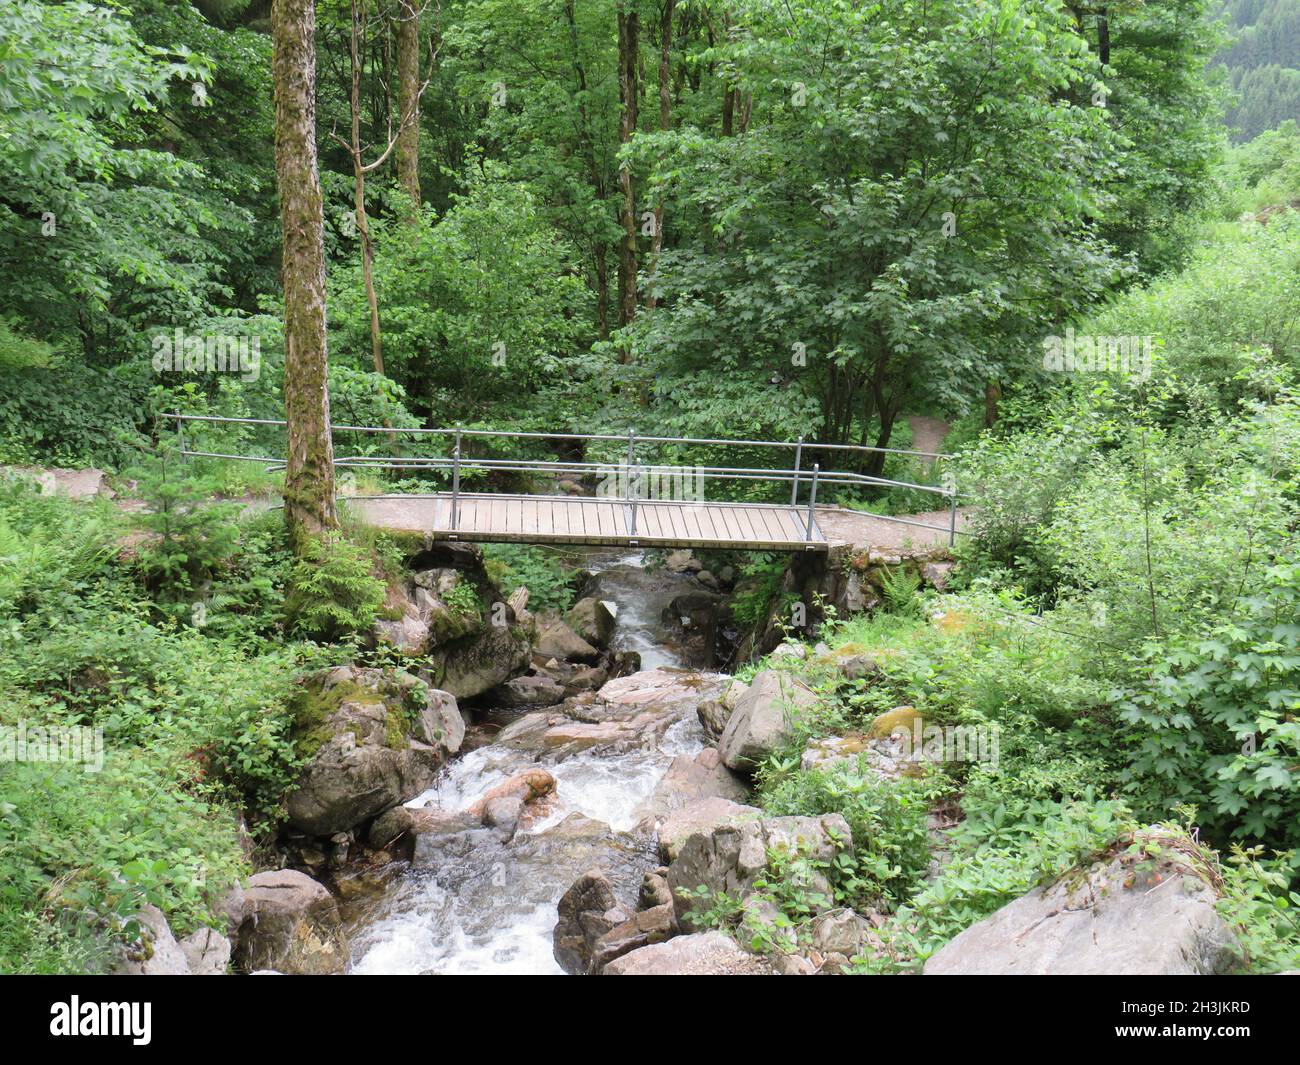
[619, 501]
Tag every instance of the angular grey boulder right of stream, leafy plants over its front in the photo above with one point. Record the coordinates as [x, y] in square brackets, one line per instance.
[731, 858]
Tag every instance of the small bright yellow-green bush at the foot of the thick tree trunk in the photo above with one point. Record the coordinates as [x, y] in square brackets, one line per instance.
[333, 591]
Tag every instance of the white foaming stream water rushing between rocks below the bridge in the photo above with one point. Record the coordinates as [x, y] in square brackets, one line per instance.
[487, 907]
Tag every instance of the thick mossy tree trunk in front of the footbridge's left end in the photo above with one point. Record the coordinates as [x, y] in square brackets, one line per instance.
[310, 475]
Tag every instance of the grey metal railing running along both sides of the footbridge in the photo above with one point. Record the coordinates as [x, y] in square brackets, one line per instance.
[634, 471]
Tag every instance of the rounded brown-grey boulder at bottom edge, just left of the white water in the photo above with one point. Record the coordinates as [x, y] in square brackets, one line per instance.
[292, 925]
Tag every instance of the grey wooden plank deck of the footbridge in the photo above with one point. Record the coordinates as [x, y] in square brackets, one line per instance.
[578, 519]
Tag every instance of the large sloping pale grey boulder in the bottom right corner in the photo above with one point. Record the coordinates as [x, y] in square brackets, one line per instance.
[1120, 917]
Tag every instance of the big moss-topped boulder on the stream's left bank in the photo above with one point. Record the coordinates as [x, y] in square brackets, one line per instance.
[356, 728]
